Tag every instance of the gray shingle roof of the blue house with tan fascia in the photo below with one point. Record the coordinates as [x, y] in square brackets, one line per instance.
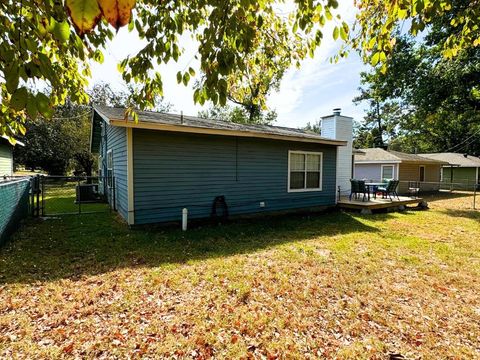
[177, 122]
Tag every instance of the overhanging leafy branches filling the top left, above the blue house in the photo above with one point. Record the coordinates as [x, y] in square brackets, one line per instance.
[52, 42]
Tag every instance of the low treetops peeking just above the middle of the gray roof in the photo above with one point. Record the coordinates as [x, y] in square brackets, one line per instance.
[237, 114]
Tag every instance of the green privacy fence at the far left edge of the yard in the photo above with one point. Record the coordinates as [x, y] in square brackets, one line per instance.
[14, 203]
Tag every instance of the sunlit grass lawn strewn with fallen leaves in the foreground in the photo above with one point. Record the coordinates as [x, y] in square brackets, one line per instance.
[336, 285]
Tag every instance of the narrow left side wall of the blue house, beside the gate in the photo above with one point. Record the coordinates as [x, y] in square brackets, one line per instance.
[115, 138]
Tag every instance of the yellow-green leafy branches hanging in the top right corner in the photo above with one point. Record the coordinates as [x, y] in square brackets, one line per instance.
[376, 31]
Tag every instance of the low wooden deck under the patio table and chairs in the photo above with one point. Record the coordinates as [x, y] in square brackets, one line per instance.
[367, 206]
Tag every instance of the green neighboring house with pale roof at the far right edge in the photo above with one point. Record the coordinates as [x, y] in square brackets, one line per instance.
[463, 169]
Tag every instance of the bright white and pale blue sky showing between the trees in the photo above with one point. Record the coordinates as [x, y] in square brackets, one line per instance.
[305, 94]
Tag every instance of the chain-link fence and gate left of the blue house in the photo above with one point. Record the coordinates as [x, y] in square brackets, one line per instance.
[74, 195]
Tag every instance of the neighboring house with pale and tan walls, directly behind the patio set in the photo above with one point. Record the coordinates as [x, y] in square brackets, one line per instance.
[377, 164]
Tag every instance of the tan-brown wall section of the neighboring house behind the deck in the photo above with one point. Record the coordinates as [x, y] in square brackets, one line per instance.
[411, 172]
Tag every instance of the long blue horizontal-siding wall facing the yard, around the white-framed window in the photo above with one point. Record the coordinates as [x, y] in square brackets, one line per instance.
[174, 170]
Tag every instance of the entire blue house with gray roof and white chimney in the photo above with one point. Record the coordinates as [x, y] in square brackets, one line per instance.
[166, 162]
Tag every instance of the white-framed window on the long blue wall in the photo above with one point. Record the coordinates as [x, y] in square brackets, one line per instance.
[304, 171]
